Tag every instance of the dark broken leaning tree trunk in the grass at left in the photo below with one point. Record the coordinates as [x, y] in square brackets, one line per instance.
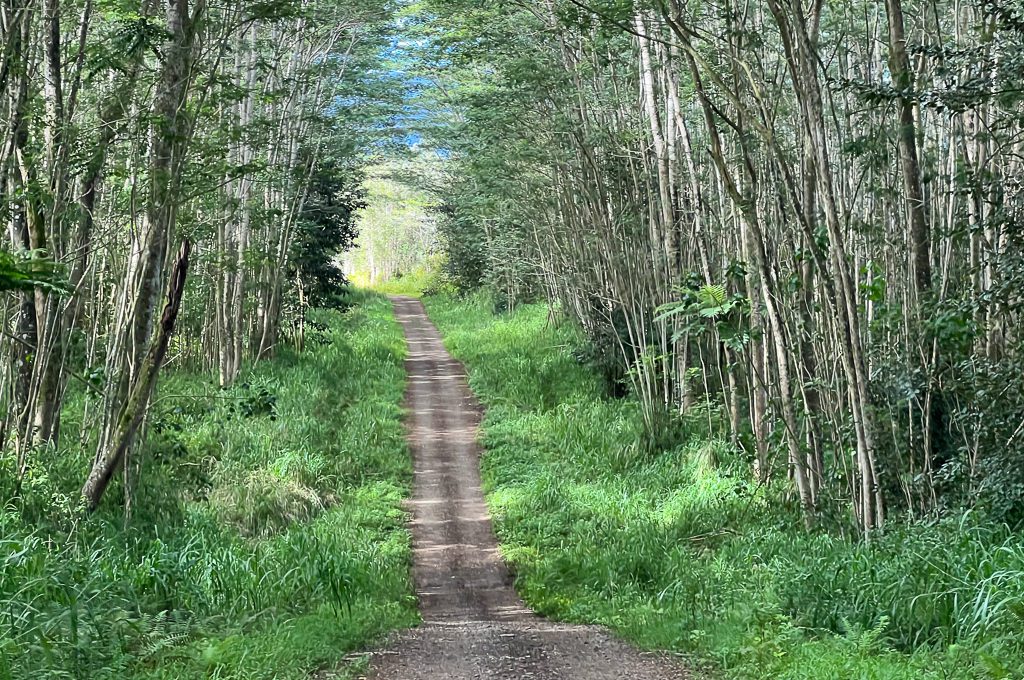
[138, 404]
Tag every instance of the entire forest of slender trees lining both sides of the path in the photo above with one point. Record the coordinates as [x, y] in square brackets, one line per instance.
[798, 221]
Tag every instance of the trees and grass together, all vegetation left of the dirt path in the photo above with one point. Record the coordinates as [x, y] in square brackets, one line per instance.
[201, 451]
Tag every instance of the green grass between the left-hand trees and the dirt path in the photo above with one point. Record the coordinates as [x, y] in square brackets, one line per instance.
[268, 539]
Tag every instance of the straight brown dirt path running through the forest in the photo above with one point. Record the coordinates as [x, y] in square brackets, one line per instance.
[476, 626]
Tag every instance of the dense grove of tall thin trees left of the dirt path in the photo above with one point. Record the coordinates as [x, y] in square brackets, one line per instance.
[177, 167]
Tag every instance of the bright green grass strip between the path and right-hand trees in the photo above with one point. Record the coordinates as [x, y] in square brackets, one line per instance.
[677, 549]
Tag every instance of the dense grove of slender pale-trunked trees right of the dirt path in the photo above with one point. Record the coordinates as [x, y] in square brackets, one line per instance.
[801, 218]
